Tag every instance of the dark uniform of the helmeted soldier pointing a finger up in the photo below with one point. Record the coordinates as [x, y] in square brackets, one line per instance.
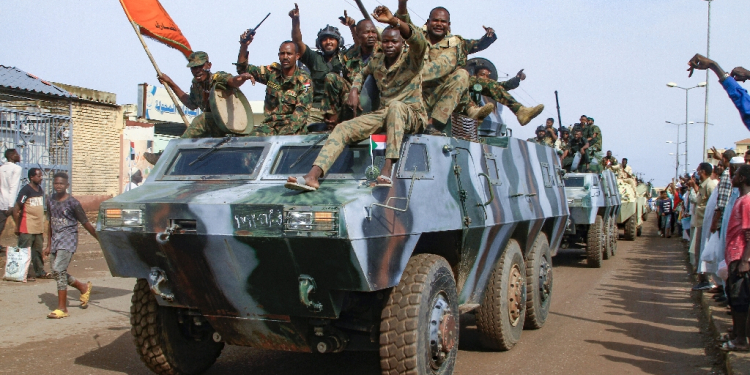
[323, 73]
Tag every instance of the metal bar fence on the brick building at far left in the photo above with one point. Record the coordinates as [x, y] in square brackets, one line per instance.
[42, 136]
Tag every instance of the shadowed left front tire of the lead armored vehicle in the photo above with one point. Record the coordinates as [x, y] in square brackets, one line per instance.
[160, 340]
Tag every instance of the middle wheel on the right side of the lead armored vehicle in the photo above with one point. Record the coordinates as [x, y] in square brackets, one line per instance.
[501, 316]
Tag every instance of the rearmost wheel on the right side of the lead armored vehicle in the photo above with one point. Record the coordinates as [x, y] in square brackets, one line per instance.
[538, 283]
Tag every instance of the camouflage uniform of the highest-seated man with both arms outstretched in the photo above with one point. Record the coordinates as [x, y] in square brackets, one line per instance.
[445, 86]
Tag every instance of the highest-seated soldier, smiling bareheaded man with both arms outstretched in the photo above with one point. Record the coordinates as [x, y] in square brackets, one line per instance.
[445, 86]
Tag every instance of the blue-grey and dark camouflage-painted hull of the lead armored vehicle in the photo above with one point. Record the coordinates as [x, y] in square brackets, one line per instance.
[240, 265]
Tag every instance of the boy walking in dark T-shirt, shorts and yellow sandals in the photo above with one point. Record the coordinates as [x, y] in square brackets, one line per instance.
[65, 212]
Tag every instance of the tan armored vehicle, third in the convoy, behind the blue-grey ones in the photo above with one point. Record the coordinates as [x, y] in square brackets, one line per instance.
[633, 208]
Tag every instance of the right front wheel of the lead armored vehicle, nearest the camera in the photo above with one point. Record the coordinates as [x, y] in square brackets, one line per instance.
[420, 321]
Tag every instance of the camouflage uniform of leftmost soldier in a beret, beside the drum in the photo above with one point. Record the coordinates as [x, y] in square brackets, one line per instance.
[203, 125]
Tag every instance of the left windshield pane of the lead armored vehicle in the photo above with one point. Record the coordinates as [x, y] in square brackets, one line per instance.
[221, 162]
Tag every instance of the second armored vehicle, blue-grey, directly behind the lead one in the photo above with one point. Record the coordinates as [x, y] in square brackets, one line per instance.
[594, 203]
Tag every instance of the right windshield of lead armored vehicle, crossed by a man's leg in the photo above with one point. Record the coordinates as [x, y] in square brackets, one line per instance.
[353, 161]
